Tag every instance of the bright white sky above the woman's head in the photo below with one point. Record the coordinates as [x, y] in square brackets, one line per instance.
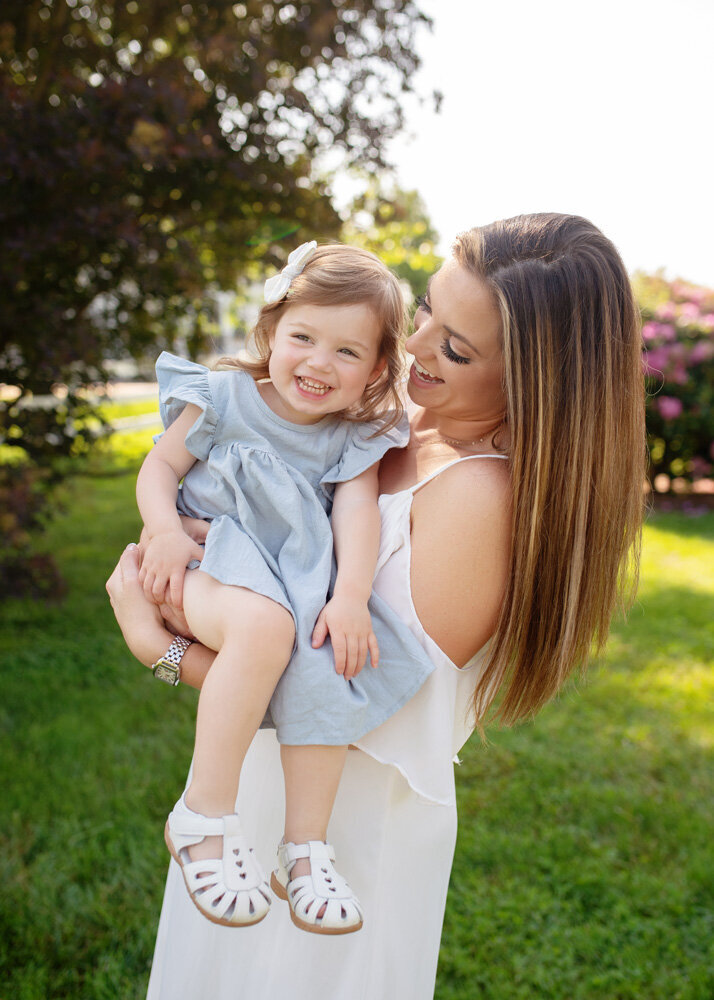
[603, 109]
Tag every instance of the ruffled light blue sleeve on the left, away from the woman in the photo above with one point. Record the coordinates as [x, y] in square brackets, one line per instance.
[182, 382]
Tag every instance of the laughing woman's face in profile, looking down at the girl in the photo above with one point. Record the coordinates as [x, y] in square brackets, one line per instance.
[458, 367]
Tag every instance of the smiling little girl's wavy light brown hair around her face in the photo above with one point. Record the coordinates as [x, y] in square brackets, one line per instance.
[338, 275]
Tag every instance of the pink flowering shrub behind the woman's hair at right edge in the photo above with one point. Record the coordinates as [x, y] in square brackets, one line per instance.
[678, 362]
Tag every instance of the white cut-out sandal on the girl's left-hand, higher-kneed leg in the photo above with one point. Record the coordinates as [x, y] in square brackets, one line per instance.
[231, 890]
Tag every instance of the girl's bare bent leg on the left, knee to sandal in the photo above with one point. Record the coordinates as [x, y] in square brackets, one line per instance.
[254, 637]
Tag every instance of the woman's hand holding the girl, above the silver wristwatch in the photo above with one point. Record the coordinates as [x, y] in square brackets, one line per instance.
[139, 619]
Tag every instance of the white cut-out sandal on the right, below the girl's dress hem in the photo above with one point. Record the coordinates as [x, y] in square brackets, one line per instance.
[307, 894]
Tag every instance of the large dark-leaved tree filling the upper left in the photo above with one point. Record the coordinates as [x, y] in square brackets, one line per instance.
[152, 151]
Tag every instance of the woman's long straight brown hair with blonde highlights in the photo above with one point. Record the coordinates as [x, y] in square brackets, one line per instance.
[575, 410]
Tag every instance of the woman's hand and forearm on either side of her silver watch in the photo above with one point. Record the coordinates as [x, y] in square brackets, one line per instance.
[142, 626]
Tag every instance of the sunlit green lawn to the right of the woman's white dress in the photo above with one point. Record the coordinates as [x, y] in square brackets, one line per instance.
[585, 866]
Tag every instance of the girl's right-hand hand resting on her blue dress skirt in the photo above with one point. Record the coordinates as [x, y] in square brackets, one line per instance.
[349, 625]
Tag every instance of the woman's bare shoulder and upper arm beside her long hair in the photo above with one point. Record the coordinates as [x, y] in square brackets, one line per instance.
[461, 539]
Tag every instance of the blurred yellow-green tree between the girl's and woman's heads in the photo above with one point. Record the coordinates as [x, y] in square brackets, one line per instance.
[395, 225]
